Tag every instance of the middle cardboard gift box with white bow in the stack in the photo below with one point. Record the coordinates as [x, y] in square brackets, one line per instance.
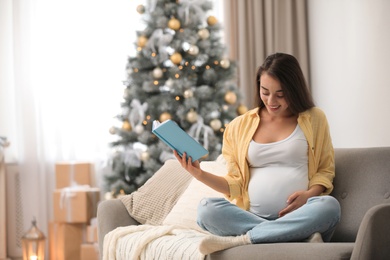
[75, 204]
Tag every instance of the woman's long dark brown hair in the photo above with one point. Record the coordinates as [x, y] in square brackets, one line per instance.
[286, 69]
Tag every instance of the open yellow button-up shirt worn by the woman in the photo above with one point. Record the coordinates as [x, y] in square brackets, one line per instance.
[239, 133]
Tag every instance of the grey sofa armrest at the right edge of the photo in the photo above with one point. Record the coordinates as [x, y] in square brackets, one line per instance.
[373, 237]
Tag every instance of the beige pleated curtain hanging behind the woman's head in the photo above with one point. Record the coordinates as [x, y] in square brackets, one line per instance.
[257, 28]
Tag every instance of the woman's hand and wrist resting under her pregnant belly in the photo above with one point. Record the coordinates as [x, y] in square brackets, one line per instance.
[299, 198]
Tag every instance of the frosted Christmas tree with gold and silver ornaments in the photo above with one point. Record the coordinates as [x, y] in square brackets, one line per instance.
[180, 72]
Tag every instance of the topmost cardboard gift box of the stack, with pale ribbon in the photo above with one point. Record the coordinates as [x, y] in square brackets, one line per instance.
[73, 173]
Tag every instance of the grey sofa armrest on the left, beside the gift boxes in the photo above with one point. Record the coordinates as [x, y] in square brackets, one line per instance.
[110, 215]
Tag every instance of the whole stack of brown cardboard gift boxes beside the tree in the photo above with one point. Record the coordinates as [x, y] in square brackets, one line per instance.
[73, 233]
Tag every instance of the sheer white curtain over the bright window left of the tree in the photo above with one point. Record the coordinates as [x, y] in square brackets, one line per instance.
[62, 64]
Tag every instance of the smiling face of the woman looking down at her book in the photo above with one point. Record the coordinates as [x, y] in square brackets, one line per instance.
[271, 94]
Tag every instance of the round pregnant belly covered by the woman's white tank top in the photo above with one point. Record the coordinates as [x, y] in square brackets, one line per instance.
[269, 188]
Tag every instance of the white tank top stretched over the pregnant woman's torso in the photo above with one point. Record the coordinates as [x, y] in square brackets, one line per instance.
[277, 170]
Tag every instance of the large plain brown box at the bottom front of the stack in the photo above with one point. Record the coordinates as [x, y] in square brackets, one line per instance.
[65, 240]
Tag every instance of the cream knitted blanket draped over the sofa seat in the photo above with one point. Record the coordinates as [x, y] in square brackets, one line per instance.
[152, 242]
